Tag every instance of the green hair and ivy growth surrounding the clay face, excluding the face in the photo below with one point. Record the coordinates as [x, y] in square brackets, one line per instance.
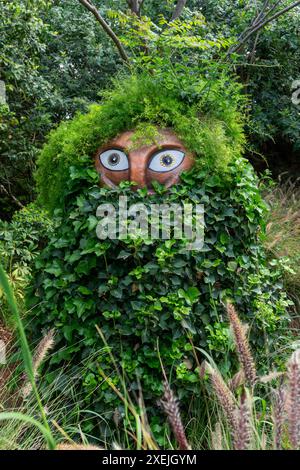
[152, 295]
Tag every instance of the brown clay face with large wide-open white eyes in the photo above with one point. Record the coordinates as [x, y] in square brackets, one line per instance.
[162, 161]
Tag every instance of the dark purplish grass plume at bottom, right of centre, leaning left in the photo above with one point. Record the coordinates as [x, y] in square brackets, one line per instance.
[171, 408]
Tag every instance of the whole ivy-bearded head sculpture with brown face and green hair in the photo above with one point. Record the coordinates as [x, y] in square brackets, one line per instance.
[149, 299]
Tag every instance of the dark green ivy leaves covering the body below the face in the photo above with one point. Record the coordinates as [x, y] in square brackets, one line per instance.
[152, 298]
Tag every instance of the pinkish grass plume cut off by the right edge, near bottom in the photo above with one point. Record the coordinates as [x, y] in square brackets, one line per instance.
[293, 399]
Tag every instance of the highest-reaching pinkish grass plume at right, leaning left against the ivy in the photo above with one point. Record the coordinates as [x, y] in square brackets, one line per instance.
[242, 346]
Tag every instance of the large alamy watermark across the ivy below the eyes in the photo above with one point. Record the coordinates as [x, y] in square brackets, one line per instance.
[153, 222]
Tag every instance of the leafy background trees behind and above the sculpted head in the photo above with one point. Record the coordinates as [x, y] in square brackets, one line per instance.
[69, 60]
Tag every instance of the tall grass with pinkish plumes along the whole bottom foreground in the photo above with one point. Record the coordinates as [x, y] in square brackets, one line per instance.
[247, 411]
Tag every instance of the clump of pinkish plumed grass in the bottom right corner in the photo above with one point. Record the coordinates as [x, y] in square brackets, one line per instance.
[245, 419]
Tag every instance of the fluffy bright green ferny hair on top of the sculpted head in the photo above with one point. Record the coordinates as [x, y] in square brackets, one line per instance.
[211, 127]
